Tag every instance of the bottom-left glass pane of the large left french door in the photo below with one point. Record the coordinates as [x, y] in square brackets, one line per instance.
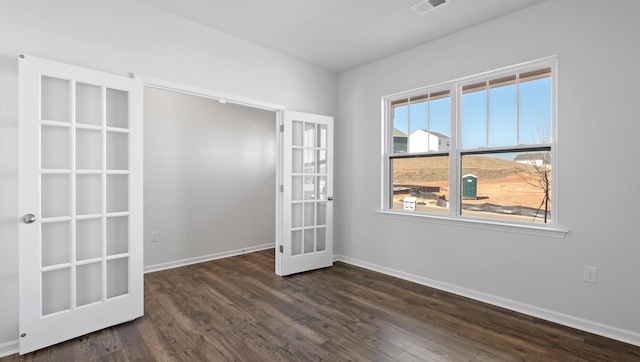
[56, 291]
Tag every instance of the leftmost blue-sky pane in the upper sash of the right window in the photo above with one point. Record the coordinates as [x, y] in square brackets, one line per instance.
[474, 116]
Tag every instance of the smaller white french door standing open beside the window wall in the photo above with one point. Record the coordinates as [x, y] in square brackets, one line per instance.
[306, 207]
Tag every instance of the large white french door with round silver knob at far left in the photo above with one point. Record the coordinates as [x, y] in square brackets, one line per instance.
[80, 205]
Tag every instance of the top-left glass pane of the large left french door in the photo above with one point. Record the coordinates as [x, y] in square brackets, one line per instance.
[55, 103]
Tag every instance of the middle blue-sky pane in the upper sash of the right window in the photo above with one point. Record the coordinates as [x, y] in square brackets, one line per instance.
[502, 112]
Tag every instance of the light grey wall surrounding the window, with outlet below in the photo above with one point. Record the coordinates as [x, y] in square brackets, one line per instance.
[598, 50]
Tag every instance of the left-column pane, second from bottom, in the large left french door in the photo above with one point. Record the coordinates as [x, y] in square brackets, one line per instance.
[55, 243]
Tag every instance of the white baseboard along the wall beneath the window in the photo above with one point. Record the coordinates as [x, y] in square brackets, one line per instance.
[546, 314]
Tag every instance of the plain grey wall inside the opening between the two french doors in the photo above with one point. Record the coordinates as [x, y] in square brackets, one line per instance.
[209, 177]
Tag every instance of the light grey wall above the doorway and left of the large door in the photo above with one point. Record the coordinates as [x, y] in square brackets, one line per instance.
[123, 37]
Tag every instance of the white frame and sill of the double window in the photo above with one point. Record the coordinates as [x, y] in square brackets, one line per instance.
[455, 153]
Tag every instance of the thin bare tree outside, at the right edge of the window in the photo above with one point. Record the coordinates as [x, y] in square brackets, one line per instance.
[540, 169]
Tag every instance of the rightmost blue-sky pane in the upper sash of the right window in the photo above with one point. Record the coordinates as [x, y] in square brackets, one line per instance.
[535, 111]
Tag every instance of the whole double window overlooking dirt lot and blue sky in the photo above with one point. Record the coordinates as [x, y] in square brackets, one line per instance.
[475, 148]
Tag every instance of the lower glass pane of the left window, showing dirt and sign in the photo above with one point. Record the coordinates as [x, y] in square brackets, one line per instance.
[424, 178]
